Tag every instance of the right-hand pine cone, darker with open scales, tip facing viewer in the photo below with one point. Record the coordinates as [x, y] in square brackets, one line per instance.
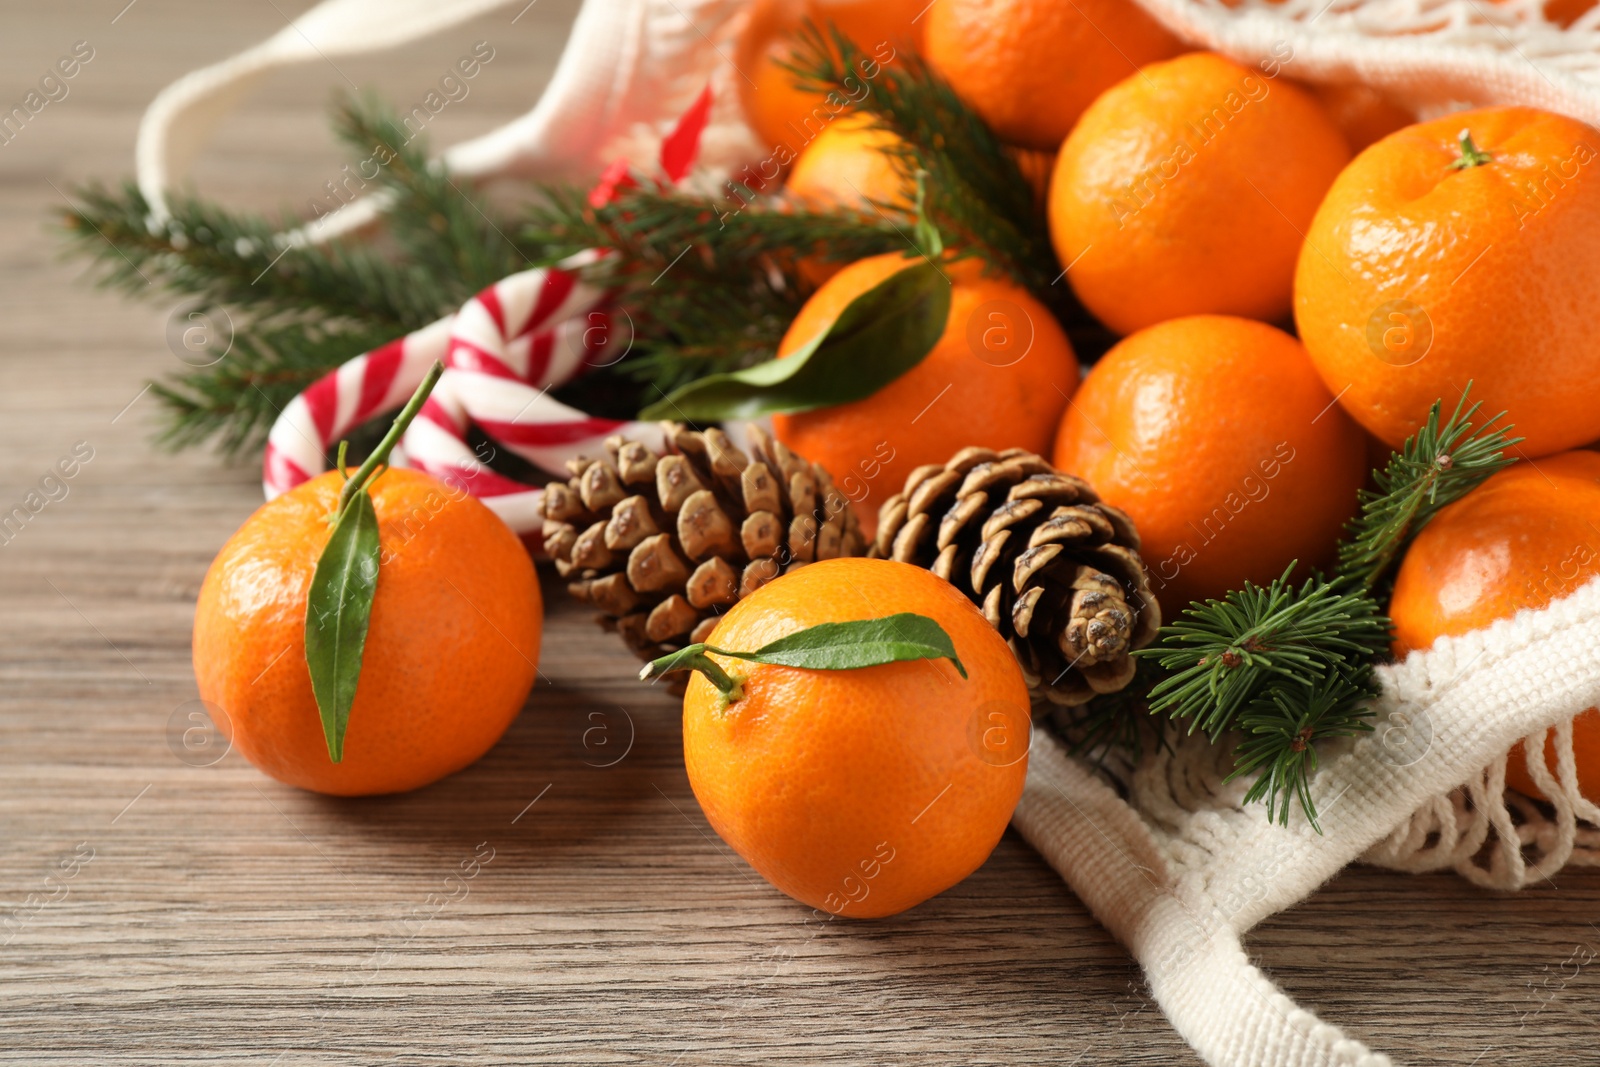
[1054, 569]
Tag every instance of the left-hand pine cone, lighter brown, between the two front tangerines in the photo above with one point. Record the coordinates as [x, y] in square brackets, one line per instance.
[662, 545]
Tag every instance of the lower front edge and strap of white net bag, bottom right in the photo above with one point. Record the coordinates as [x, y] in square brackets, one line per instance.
[1178, 881]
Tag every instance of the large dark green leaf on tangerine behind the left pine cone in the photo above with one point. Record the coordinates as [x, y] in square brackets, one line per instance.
[879, 337]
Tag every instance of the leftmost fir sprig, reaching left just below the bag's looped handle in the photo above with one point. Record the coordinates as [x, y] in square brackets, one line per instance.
[234, 260]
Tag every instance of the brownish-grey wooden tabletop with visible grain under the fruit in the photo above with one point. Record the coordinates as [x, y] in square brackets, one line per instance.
[220, 917]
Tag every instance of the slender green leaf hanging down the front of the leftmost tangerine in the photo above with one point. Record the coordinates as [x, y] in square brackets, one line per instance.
[338, 610]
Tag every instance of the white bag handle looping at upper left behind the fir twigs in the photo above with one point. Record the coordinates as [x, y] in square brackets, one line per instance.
[628, 65]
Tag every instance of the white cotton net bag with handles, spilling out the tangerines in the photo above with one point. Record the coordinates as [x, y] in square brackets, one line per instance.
[1162, 852]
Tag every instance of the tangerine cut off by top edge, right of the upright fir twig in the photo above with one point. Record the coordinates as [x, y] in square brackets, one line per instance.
[1033, 66]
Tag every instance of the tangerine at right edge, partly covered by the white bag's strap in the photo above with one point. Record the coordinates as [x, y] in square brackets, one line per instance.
[1527, 537]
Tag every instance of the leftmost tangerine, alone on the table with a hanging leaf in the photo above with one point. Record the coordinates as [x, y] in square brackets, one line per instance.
[452, 642]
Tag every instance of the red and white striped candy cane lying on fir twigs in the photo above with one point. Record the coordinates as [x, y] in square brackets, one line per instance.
[503, 351]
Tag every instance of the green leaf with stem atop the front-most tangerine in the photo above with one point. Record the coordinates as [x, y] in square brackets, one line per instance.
[825, 647]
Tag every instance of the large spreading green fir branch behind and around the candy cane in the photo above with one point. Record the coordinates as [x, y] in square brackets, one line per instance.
[705, 286]
